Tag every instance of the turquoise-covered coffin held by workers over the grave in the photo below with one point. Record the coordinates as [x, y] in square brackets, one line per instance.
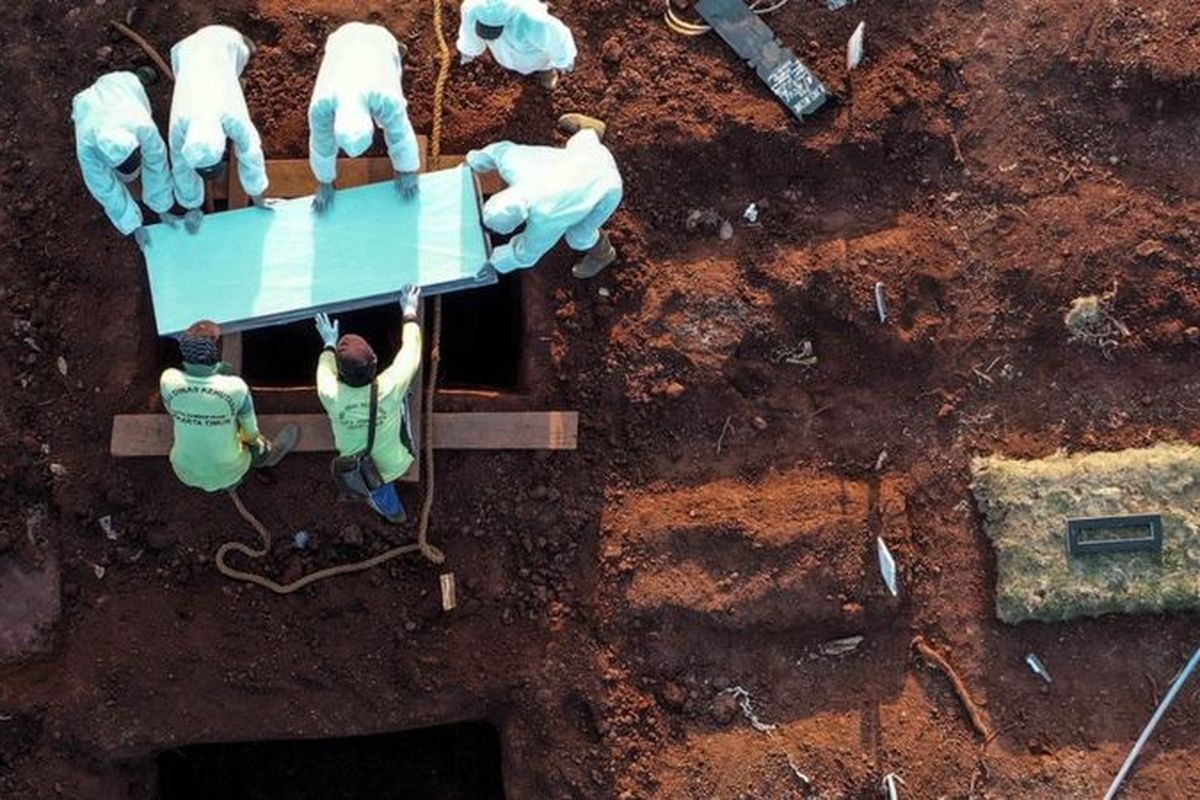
[254, 268]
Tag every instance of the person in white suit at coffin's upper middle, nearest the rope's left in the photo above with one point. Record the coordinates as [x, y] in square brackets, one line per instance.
[358, 89]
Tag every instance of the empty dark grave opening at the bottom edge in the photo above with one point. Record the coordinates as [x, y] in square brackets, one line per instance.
[454, 762]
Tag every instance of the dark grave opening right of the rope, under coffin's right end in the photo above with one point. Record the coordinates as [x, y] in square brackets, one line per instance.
[483, 332]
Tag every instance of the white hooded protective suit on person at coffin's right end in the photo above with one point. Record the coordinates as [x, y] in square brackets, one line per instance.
[557, 193]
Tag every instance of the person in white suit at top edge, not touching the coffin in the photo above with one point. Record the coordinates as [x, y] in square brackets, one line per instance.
[521, 35]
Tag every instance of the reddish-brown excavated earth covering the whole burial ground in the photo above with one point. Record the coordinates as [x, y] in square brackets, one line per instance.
[991, 161]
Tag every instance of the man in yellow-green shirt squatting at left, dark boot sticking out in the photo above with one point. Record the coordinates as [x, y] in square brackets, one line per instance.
[217, 432]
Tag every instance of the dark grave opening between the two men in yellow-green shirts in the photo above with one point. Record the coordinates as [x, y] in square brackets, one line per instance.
[286, 356]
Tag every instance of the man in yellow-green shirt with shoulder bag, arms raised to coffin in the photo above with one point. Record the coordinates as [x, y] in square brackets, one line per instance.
[345, 375]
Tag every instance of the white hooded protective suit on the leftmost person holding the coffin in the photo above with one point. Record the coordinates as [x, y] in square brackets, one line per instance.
[113, 121]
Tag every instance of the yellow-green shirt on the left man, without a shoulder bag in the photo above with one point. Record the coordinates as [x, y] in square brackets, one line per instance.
[214, 419]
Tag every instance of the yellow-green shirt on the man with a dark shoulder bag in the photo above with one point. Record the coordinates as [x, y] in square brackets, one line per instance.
[350, 407]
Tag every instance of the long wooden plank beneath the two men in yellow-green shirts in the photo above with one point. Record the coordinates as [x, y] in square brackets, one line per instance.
[151, 435]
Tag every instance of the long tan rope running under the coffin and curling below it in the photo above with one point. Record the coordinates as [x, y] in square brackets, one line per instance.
[422, 545]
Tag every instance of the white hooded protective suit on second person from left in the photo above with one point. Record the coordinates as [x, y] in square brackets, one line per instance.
[208, 109]
